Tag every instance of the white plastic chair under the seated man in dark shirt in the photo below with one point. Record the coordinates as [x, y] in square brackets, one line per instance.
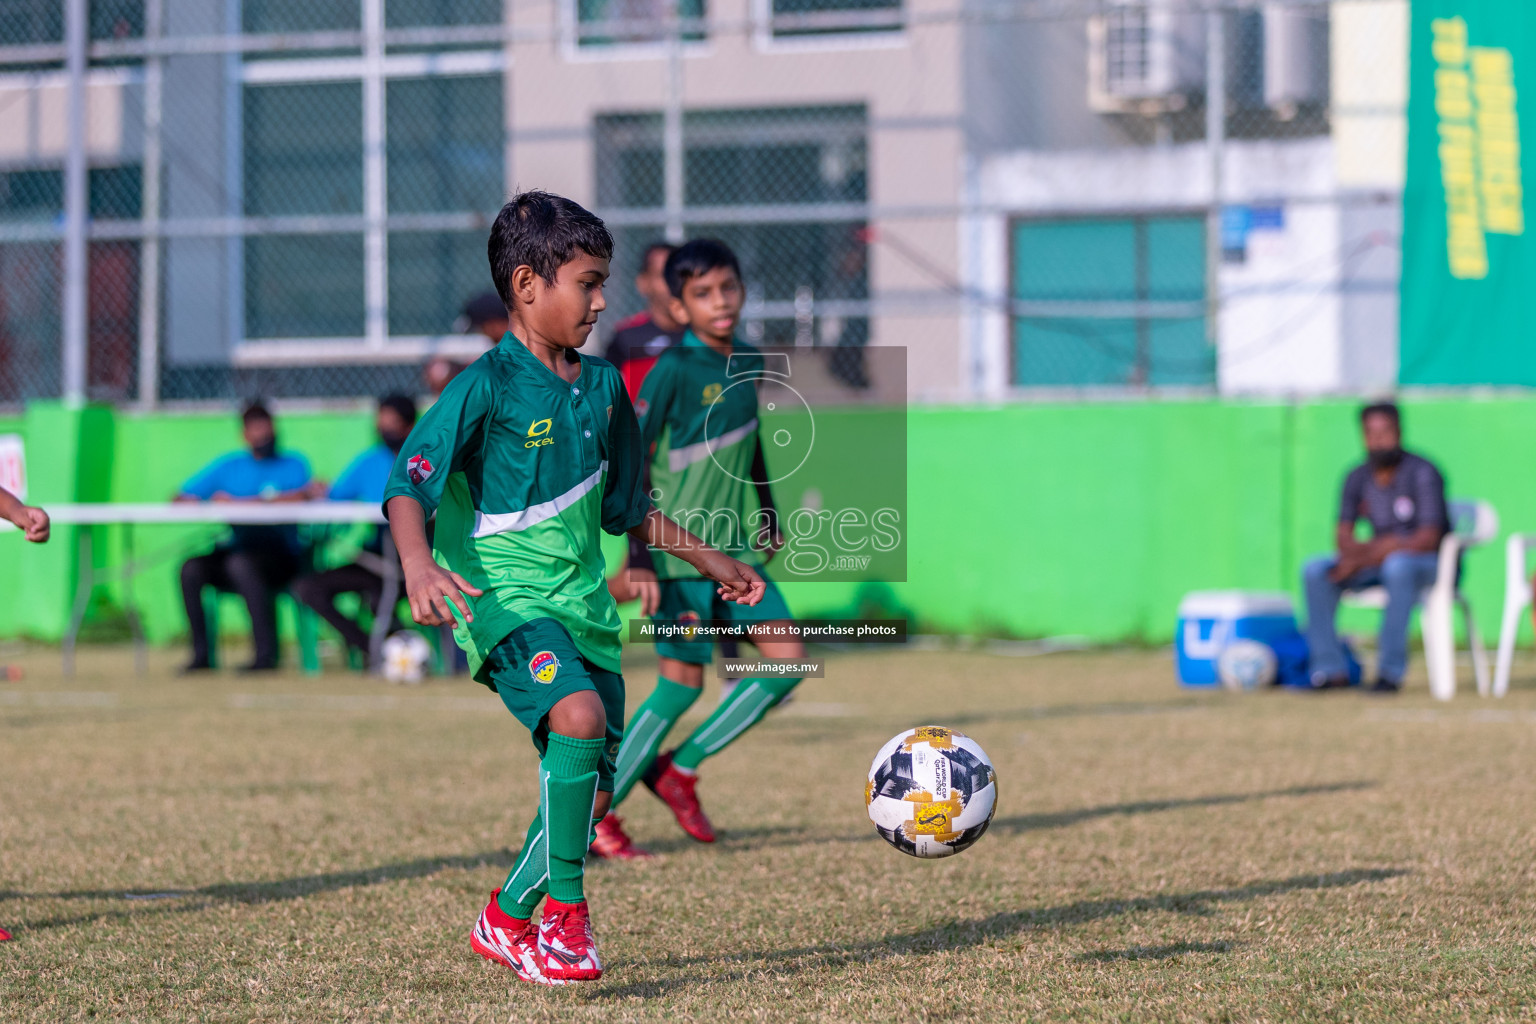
[1471, 526]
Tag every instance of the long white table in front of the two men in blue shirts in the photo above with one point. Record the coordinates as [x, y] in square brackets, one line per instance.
[214, 514]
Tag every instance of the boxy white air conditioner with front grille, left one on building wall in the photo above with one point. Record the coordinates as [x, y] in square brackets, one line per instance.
[1145, 58]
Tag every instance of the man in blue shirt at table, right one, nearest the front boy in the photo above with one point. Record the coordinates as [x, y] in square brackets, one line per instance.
[363, 481]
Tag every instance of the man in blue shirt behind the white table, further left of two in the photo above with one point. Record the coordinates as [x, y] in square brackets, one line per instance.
[257, 561]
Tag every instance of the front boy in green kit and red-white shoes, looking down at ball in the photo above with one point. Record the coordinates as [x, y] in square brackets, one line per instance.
[525, 458]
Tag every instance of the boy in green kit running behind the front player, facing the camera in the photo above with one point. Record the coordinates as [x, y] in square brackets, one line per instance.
[700, 409]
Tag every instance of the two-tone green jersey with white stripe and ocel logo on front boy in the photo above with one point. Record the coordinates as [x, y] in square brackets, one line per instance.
[523, 469]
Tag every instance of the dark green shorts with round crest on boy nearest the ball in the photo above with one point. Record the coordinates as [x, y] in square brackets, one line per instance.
[535, 667]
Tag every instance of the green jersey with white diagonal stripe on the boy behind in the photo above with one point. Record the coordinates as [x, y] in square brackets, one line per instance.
[700, 411]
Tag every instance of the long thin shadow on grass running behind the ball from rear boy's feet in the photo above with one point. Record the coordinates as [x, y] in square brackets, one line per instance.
[801, 836]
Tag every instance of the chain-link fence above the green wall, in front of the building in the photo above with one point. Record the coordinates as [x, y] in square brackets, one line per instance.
[217, 199]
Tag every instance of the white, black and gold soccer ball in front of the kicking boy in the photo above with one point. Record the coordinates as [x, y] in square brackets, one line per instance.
[932, 791]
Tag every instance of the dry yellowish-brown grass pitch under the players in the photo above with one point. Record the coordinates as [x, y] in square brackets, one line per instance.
[294, 850]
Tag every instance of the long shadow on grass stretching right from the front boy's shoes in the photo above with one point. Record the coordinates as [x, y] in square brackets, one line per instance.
[981, 931]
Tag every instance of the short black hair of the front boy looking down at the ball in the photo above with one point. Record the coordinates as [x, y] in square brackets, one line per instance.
[543, 231]
